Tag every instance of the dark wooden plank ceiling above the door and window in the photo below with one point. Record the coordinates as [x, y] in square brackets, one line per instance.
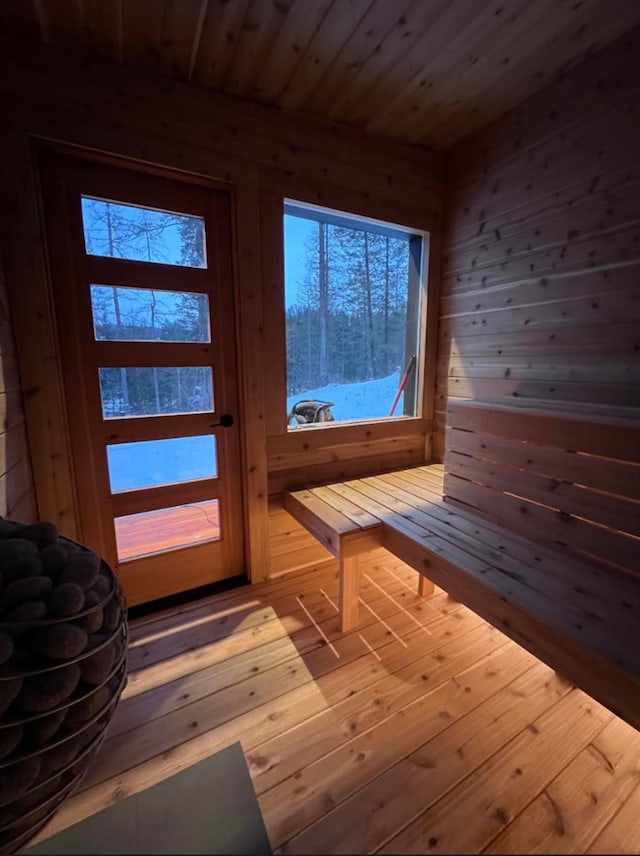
[427, 71]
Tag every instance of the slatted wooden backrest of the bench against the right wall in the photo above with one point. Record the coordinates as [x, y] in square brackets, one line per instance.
[531, 495]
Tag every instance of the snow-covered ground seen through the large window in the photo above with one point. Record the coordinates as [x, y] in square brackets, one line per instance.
[367, 400]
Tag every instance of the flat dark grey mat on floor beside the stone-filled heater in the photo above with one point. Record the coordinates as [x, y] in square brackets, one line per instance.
[210, 807]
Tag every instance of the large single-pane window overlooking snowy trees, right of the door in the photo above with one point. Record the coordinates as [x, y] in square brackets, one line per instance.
[353, 298]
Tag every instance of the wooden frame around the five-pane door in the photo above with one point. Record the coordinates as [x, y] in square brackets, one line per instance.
[40, 151]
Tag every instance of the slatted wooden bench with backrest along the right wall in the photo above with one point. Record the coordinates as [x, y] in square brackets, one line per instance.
[536, 529]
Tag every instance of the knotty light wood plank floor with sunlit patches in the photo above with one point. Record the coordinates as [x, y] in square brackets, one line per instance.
[424, 730]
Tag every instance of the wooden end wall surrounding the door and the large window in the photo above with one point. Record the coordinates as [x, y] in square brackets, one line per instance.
[264, 156]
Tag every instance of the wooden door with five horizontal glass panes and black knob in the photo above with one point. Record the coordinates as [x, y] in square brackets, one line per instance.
[142, 285]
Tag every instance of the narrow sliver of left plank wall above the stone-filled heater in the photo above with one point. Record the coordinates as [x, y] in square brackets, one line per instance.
[17, 498]
